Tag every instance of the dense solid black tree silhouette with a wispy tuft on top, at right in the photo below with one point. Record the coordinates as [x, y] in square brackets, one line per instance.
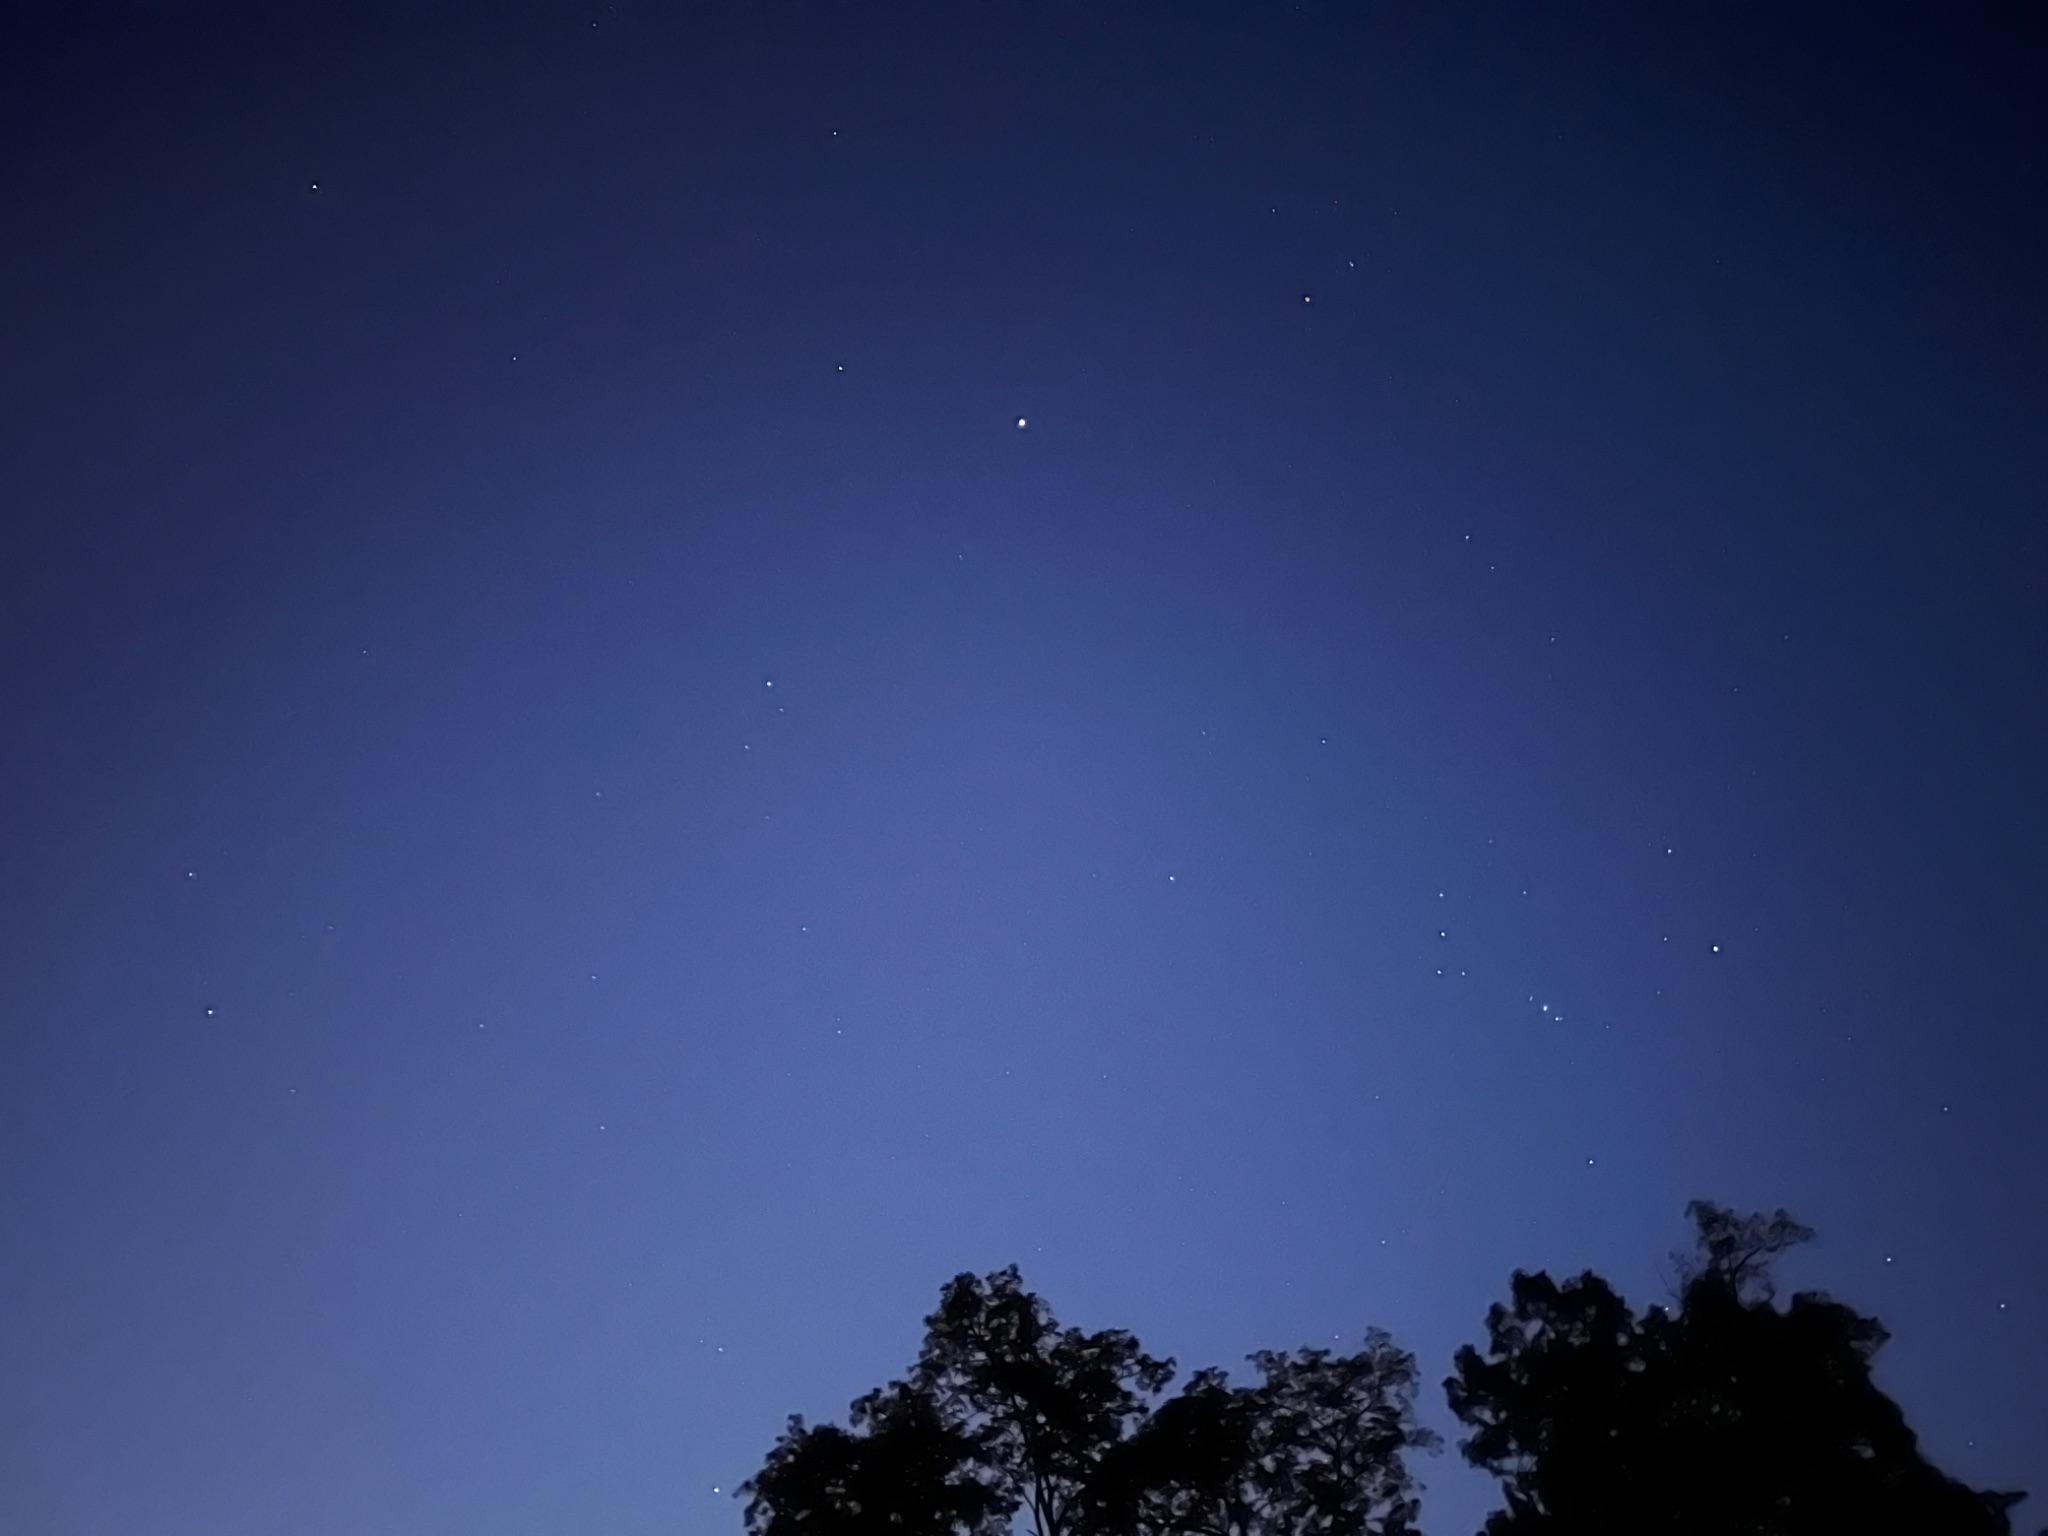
[1727, 1416]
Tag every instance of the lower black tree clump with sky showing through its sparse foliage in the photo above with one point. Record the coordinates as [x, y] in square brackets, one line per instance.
[1009, 1412]
